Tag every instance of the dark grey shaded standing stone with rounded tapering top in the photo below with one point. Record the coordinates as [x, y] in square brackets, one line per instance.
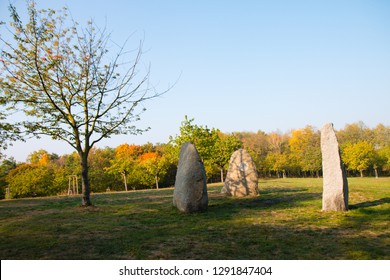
[190, 193]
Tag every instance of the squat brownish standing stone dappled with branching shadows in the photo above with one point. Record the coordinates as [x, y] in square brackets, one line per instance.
[242, 178]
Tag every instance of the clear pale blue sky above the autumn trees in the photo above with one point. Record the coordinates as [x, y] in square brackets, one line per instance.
[248, 65]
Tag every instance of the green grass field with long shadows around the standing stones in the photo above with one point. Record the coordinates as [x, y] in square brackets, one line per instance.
[284, 222]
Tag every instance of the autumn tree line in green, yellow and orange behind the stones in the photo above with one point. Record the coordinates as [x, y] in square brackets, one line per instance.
[365, 152]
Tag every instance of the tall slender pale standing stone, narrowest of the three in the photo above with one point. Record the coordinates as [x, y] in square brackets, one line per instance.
[335, 189]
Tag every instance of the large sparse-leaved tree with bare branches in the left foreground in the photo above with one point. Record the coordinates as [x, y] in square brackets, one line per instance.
[62, 77]
